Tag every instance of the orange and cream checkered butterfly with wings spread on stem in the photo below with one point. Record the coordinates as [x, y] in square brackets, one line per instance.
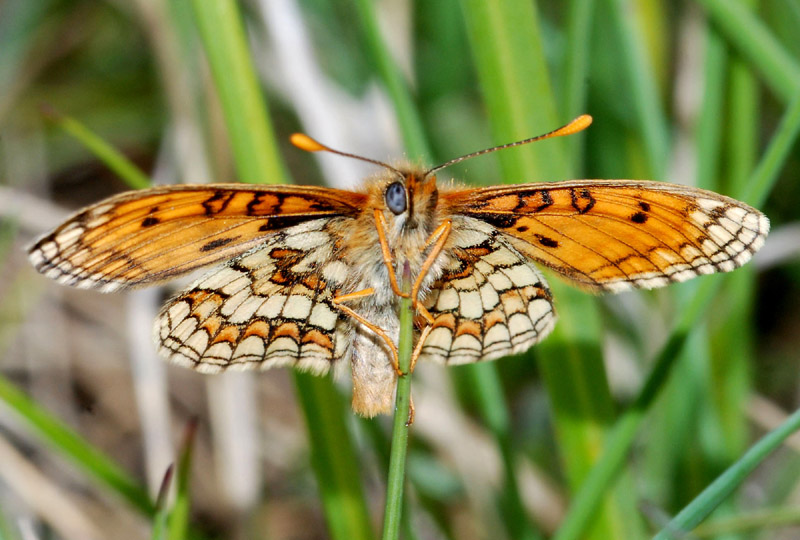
[308, 275]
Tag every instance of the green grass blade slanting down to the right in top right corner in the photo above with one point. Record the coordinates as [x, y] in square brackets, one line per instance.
[756, 43]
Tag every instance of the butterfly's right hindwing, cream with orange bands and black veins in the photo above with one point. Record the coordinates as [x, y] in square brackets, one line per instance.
[490, 301]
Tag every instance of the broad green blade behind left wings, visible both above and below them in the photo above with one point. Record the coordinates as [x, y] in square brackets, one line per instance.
[257, 160]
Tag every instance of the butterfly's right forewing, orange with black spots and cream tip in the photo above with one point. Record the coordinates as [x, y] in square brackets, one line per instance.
[616, 234]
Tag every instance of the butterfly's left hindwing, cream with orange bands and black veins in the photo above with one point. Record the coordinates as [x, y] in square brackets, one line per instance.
[269, 307]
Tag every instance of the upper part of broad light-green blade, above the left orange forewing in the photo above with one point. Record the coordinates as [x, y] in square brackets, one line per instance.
[253, 144]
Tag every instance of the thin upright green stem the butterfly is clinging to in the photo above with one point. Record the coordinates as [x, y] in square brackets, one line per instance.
[397, 458]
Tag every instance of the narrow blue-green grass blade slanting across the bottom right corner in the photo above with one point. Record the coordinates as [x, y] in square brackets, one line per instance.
[728, 481]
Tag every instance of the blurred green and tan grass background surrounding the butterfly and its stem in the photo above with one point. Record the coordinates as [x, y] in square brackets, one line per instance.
[615, 424]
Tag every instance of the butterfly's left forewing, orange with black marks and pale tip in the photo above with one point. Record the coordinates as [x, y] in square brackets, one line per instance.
[151, 235]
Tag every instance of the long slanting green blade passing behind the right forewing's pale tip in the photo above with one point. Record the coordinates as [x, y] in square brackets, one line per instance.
[586, 501]
